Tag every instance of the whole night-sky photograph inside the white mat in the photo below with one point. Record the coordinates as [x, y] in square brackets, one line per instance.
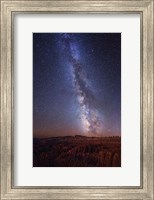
[69, 124]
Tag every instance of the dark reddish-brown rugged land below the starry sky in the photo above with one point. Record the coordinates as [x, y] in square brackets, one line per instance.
[77, 151]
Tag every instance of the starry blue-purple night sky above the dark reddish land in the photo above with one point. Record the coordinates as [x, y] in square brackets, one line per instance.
[76, 84]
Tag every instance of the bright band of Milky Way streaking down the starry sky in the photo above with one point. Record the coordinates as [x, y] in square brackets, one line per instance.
[85, 96]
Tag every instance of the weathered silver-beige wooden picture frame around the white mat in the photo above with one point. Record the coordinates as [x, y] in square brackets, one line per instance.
[8, 10]
